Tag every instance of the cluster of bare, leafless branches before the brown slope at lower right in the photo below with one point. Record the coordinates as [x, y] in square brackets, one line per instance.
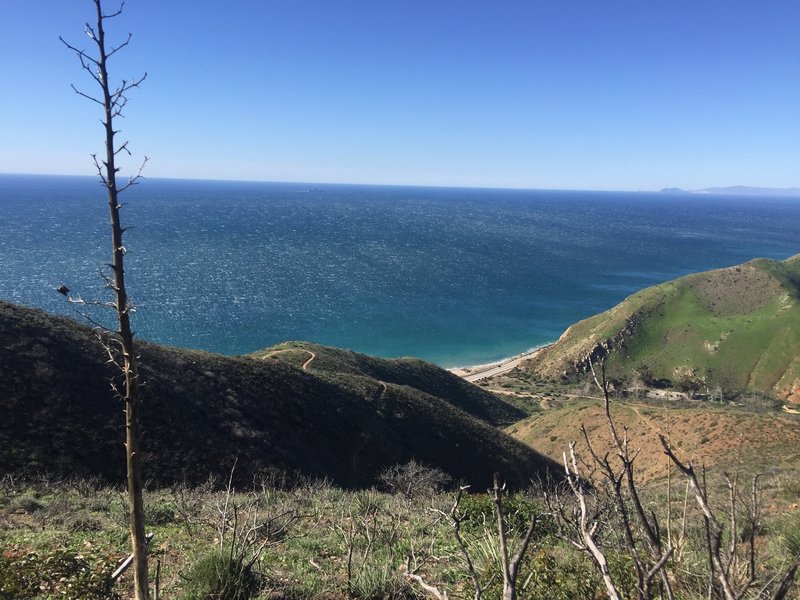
[605, 497]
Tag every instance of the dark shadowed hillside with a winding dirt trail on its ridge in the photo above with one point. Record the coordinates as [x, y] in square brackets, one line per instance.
[296, 408]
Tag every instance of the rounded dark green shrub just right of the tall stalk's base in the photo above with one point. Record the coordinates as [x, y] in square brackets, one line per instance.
[221, 575]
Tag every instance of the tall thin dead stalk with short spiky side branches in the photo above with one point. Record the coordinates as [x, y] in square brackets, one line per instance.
[121, 347]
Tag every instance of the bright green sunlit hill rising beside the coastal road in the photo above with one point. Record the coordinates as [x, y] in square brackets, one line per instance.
[731, 329]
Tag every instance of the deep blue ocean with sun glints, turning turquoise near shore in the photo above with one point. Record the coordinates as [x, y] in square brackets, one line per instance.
[455, 276]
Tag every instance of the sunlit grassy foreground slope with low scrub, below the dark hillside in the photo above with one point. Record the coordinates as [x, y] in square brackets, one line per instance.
[314, 541]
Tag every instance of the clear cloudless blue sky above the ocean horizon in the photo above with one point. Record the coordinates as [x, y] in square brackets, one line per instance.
[577, 94]
